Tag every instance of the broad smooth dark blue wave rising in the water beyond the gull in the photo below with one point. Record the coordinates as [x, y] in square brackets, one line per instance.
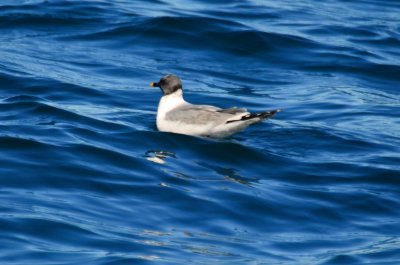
[199, 33]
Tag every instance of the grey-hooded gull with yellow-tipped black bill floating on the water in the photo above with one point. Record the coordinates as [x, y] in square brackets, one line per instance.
[176, 115]
